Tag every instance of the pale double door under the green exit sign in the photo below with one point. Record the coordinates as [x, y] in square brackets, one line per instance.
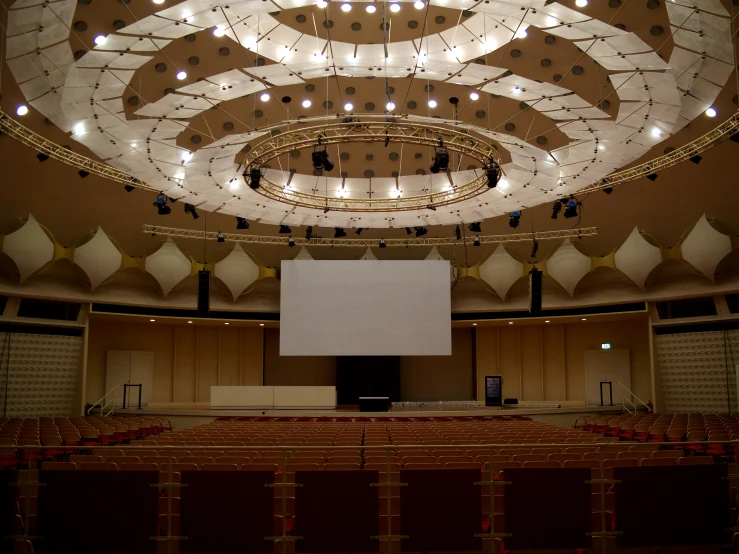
[607, 366]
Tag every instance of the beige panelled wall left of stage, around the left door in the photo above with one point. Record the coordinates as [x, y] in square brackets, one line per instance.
[195, 356]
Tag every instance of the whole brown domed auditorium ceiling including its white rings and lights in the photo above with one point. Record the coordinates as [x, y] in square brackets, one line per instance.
[562, 110]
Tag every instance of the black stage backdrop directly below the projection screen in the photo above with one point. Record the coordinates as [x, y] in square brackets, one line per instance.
[367, 376]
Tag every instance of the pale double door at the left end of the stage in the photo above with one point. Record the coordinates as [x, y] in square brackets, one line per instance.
[132, 368]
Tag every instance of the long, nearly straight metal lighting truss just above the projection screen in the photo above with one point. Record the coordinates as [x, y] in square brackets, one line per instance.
[400, 242]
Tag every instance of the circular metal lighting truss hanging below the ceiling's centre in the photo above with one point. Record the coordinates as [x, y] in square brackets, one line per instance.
[375, 131]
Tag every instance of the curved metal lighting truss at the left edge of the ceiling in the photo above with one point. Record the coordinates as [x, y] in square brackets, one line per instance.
[23, 134]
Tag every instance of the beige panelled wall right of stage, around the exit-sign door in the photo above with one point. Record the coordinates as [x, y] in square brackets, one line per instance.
[547, 362]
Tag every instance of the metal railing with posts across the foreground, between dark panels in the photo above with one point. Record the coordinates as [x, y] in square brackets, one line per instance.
[282, 484]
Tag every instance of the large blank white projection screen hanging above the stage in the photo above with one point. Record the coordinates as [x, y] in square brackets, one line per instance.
[365, 308]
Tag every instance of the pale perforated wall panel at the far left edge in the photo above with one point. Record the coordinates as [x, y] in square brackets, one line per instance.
[42, 377]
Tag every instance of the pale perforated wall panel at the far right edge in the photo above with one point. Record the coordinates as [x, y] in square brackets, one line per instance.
[697, 371]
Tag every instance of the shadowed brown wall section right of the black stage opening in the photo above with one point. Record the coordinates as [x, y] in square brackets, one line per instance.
[428, 378]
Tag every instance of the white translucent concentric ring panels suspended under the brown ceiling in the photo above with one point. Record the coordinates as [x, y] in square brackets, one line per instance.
[86, 96]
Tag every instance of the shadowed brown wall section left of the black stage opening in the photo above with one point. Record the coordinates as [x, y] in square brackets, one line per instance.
[295, 370]
